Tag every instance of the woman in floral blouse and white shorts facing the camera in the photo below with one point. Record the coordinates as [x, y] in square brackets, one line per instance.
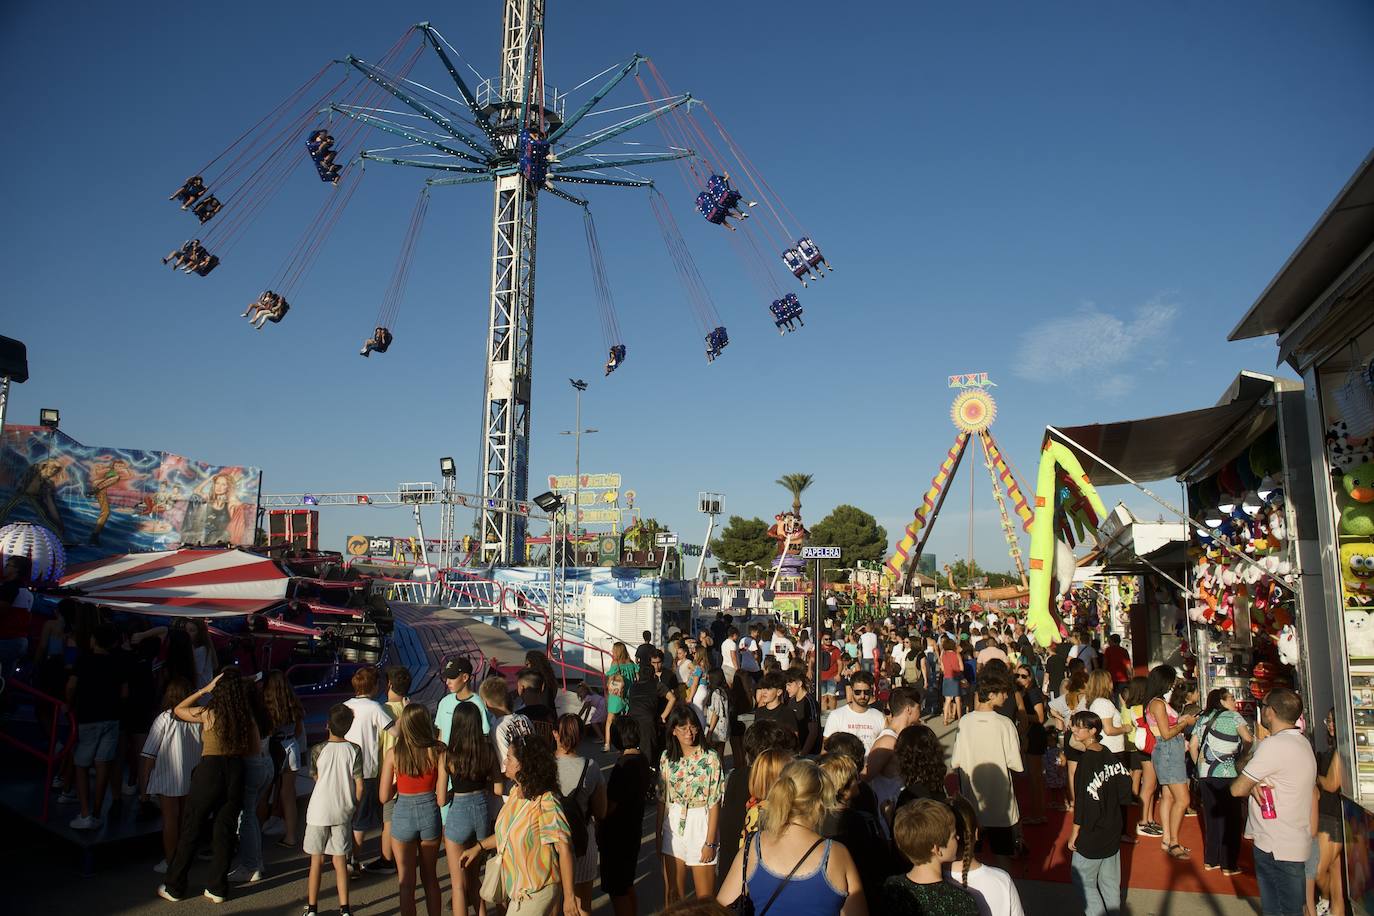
[692, 785]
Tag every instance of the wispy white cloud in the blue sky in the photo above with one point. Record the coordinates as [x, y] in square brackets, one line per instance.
[1097, 344]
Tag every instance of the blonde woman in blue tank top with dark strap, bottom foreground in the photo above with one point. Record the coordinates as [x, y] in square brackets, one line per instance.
[824, 878]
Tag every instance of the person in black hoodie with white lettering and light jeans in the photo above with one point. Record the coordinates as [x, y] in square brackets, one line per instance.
[1101, 794]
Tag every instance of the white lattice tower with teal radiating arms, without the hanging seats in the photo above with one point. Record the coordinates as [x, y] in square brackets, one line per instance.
[502, 112]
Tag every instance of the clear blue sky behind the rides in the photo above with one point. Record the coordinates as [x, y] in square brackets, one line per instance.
[1078, 198]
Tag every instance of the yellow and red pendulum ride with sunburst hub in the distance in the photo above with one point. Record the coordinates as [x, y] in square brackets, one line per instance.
[972, 413]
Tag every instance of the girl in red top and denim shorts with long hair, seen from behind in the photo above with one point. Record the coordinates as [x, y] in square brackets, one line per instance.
[410, 774]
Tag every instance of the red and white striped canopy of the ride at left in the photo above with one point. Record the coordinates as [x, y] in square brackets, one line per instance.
[188, 583]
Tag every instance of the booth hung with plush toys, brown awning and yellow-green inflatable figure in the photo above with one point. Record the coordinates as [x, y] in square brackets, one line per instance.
[1236, 591]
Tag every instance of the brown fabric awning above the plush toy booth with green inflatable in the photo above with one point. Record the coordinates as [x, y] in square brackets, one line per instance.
[1164, 447]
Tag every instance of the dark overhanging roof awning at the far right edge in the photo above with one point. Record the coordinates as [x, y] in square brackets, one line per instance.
[1343, 233]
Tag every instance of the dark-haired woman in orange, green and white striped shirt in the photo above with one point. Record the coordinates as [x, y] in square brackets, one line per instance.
[532, 841]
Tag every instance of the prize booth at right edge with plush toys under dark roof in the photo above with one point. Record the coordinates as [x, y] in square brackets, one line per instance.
[1321, 308]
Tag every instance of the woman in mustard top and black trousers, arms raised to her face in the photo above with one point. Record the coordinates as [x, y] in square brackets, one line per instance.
[229, 734]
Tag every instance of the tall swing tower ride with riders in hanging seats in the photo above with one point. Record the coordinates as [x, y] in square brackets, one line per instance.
[516, 134]
